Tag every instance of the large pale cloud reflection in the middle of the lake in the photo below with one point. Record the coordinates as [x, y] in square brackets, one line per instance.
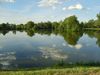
[53, 53]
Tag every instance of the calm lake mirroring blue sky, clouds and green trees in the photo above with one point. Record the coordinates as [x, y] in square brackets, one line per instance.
[25, 49]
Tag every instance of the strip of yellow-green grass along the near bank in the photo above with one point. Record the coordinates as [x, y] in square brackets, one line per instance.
[66, 71]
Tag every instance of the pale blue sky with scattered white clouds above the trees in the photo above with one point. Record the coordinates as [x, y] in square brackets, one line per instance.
[21, 11]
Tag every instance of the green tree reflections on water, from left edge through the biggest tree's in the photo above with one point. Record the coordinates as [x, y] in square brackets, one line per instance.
[69, 37]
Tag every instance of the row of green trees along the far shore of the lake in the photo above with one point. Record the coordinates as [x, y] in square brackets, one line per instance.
[71, 23]
